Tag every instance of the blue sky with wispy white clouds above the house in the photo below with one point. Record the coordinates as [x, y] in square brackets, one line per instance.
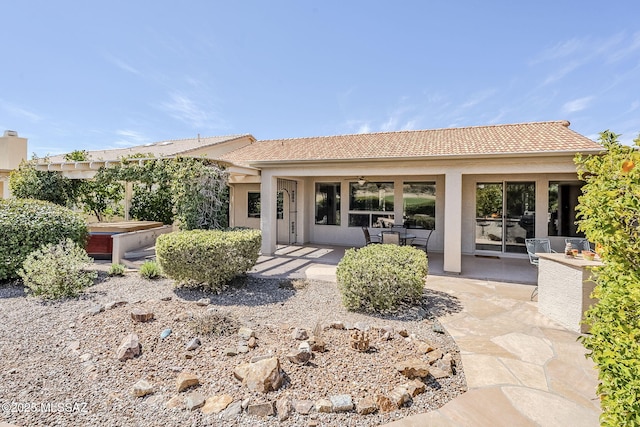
[107, 74]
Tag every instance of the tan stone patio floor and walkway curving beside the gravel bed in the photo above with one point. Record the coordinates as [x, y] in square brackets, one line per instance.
[522, 369]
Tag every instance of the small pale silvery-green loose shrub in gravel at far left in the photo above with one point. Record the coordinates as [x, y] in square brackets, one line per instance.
[57, 270]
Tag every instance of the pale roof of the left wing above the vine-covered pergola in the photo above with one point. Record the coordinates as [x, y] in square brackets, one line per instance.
[168, 148]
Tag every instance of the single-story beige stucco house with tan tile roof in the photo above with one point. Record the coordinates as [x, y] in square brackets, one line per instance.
[478, 190]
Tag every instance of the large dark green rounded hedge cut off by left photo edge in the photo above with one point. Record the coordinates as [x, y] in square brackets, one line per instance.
[27, 224]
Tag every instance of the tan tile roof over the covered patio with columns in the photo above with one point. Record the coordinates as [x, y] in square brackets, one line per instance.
[509, 139]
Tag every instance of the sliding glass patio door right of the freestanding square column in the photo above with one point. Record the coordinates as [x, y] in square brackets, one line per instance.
[505, 216]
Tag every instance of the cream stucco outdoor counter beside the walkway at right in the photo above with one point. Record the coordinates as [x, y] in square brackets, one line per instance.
[564, 289]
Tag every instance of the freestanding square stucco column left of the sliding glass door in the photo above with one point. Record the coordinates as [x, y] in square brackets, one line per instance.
[453, 222]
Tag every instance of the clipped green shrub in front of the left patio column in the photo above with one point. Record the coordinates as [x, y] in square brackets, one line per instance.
[207, 257]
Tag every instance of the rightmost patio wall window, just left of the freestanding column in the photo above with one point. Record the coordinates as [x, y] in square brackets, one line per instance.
[419, 204]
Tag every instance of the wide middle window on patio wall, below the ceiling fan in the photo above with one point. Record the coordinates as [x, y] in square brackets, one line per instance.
[367, 201]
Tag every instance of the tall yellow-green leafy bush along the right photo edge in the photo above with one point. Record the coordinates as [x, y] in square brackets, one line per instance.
[608, 213]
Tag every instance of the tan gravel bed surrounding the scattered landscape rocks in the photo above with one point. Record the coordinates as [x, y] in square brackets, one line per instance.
[57, 354]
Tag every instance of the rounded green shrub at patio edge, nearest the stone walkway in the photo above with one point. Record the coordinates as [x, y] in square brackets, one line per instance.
[378, 278]
